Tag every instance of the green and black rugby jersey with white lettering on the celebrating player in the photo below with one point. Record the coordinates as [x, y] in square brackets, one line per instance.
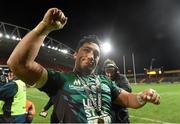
[72, 103]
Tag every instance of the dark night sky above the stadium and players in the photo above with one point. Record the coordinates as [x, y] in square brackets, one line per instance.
[148, 28]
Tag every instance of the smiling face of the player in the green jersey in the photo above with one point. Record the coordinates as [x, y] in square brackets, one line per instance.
[87, 58]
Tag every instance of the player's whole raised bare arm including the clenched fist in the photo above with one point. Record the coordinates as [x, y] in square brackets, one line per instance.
[22, 60]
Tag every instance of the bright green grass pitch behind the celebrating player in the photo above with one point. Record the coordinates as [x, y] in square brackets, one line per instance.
[167, 112]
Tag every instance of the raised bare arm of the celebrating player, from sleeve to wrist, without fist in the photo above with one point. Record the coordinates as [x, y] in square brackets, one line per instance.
[21, 61]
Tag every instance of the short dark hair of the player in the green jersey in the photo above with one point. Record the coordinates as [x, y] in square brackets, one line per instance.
[88, 39]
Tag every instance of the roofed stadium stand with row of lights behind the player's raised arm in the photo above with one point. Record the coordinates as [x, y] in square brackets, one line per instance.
[52, 54]
